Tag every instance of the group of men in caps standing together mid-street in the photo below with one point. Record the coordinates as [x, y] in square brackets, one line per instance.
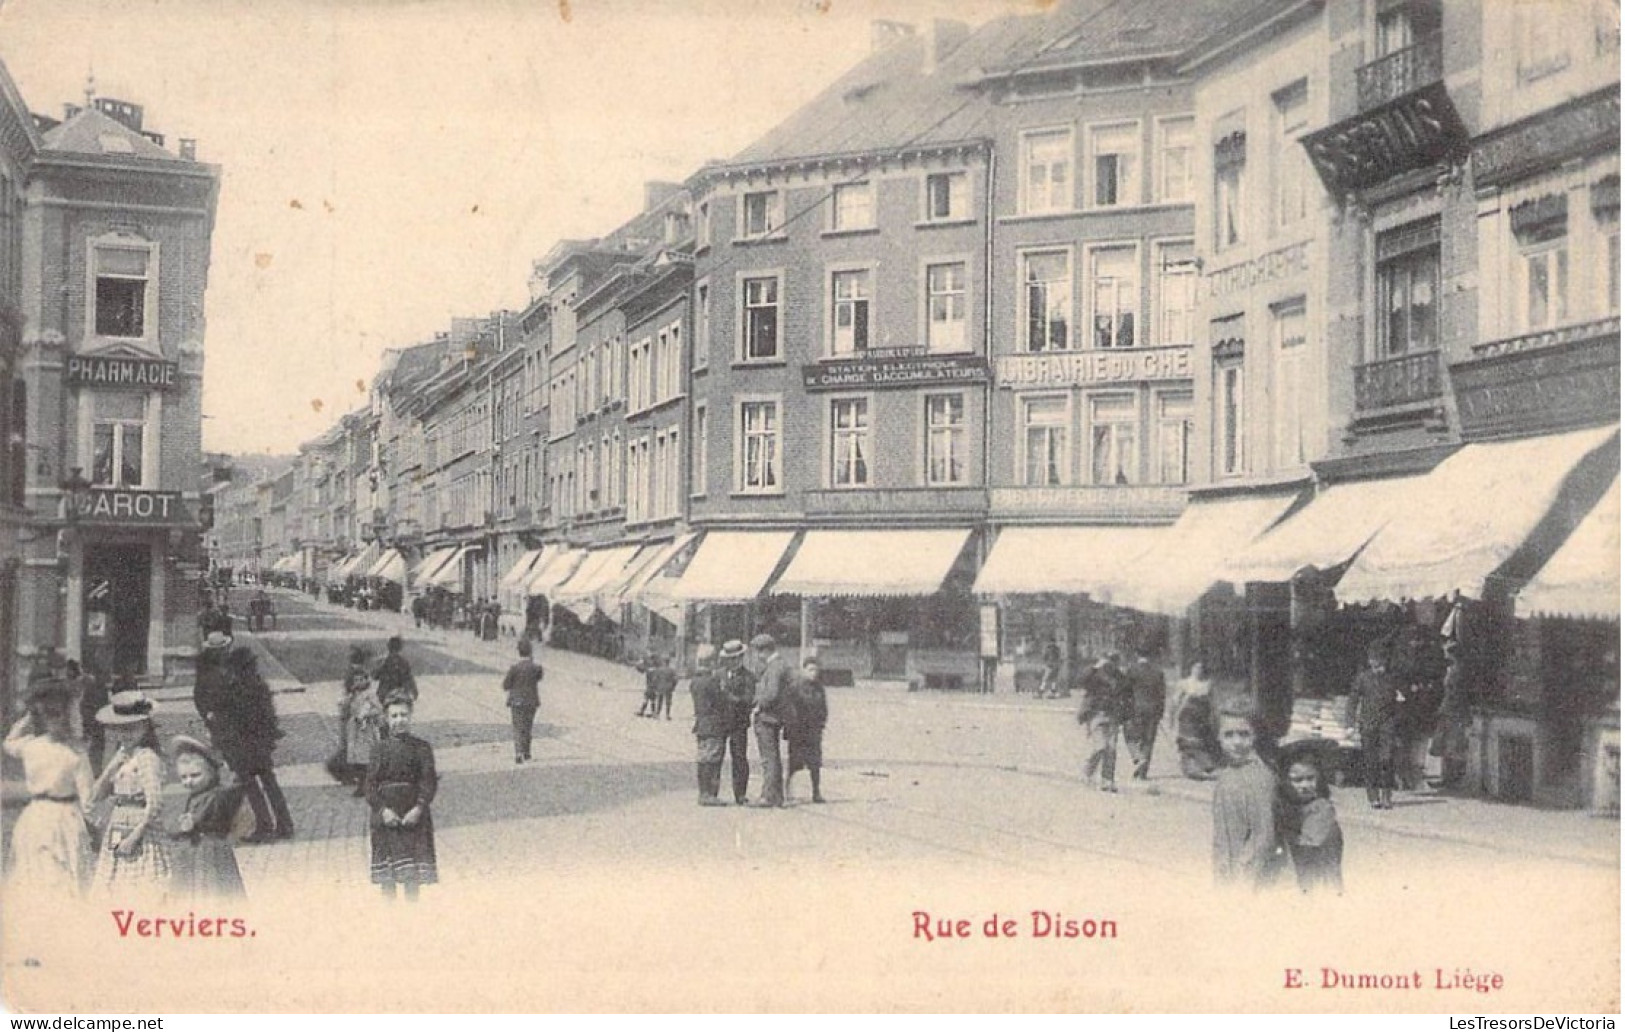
[776, 701]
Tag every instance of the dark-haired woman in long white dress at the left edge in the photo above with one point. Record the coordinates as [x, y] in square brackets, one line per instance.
[50, 844]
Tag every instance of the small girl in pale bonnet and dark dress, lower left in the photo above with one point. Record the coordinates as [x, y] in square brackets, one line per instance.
[204, 862]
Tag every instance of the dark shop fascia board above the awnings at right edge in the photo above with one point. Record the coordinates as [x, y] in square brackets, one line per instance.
[1548, 389]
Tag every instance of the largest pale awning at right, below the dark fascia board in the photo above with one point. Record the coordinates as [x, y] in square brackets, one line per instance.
[1470, 516]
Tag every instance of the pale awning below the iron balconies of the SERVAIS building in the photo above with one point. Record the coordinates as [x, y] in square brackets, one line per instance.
[1325, 534]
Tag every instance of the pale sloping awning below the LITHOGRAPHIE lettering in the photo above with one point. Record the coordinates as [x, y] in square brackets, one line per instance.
[1187, 560]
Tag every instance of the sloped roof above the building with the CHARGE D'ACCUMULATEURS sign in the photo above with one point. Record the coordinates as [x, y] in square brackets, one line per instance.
[890, 102]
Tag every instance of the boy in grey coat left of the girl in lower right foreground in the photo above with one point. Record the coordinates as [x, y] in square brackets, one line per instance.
[1247, 846]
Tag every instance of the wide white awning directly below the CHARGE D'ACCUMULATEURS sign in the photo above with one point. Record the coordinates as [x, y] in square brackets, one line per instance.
[873, 563]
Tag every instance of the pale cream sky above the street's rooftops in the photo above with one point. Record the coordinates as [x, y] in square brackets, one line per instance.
[392, 165]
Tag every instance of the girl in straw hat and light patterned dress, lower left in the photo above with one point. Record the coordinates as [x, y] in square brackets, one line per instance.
[134, 859]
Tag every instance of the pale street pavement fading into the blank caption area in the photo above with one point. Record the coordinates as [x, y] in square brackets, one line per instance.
[599, 861]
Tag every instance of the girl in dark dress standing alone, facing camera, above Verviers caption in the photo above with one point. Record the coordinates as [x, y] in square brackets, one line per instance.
[401, 789]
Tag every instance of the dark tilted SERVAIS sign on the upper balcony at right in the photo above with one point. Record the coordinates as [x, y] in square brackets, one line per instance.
[1408, 134]
